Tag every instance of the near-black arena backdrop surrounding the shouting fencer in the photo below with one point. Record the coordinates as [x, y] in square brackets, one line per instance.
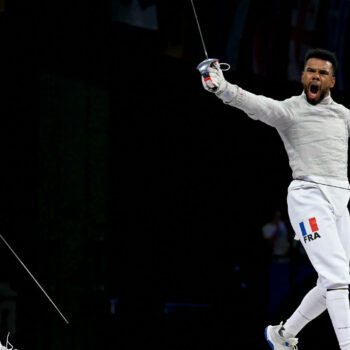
[135, 197]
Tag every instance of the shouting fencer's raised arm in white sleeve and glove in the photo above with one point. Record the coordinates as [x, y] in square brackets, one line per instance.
[272, 112]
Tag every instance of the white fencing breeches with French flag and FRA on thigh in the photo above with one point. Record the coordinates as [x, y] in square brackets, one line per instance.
[325, 236]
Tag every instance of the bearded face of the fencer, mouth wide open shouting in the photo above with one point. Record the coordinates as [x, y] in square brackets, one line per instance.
[317, 79]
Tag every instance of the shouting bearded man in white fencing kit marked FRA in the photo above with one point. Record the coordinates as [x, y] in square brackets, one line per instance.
[315, 132]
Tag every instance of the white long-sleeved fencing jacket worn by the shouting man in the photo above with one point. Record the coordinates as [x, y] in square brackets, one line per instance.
[315, 138]
